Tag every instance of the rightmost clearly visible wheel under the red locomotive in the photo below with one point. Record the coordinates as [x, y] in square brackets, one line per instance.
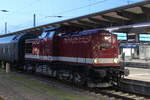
[78, 79]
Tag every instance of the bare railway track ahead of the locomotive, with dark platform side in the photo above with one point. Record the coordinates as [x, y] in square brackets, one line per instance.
[128, 90]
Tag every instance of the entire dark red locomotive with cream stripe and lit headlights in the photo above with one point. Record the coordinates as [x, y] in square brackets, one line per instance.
[84, 57]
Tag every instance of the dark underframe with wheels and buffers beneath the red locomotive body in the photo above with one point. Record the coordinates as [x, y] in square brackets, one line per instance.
[78, 74]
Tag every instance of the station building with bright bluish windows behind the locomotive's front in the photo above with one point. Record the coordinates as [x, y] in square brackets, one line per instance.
[134, 46]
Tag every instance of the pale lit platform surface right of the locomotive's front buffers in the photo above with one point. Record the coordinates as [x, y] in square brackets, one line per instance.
[139, 74]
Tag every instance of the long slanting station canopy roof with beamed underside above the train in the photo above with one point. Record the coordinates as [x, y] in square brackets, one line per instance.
[122, 16]
